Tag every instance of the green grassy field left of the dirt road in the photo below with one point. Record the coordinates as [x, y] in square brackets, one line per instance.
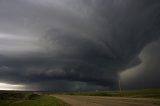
[28, 99]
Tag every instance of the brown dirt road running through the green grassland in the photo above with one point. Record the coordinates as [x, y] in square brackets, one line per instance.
[107, 101]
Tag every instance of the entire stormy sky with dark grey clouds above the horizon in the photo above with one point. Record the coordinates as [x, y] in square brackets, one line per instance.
[70, 45]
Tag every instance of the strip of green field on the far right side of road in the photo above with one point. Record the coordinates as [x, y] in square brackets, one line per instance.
[143, 93]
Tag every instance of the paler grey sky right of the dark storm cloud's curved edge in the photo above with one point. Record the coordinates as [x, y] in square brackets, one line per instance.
[146, 74]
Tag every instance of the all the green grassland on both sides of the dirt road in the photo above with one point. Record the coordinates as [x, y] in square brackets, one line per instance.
[44, 98]
